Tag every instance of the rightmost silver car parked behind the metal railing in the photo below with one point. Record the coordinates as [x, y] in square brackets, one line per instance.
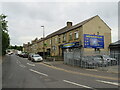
[108, 59]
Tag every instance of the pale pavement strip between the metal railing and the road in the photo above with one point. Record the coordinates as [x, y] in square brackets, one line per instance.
[60, 64]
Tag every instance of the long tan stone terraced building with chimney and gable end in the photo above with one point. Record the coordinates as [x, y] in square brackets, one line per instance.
[72, 36]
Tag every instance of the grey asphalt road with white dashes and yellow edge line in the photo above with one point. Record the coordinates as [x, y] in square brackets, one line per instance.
[19, 72]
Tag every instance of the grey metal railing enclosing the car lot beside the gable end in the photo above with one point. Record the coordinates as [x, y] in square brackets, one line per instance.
[92, 60]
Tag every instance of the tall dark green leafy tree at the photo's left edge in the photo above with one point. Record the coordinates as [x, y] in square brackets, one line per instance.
[4, 36]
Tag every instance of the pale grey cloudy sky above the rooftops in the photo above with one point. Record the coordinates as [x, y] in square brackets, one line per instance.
[26, 18]
